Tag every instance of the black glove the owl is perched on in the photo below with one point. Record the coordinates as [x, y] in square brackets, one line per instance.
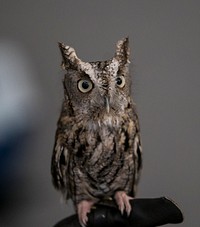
[145, 213]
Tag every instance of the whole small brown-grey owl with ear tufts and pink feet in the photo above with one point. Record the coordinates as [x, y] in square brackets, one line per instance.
[97, 153]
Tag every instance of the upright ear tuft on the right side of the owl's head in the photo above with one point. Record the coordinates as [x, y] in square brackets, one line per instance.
[123, 51]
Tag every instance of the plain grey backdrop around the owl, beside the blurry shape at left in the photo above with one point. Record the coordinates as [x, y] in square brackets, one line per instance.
[164, 38]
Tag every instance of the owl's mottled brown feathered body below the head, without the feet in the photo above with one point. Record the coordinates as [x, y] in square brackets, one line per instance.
[93, 159]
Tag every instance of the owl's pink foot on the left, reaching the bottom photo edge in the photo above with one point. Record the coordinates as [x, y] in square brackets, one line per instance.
[83, 208]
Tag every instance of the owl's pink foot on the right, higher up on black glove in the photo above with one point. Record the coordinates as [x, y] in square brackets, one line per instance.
[122, 200]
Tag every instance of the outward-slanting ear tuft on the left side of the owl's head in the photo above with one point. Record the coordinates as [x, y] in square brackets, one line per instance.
[69, 57]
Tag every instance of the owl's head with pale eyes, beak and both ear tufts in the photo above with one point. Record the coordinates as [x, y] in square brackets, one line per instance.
[96, 88]
